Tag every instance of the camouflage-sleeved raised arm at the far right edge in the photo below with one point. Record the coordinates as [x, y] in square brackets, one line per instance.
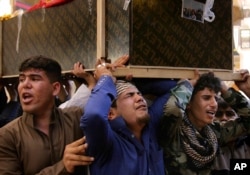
[232, 129]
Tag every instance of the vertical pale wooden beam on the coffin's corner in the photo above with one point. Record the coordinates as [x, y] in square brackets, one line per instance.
[100, 29]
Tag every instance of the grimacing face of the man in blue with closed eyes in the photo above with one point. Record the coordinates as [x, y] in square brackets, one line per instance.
[132, 107]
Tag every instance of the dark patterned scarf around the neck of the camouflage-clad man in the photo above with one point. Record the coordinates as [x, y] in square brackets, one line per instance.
[200, 147]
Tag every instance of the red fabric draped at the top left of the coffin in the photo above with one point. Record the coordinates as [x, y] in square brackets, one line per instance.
[47, 4]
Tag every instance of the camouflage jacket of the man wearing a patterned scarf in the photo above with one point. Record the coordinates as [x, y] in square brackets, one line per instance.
[176, 161]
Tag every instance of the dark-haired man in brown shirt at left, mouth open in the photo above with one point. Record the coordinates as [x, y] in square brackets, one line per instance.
[45, 139]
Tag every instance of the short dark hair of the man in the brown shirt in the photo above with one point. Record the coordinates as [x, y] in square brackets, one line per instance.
[51, 67]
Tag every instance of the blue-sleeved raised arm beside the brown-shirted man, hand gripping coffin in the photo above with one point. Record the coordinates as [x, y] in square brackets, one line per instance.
[95, 122]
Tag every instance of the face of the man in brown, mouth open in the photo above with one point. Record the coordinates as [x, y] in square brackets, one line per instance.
[36, 92]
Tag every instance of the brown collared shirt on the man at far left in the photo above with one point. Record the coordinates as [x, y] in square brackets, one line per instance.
[24, 150]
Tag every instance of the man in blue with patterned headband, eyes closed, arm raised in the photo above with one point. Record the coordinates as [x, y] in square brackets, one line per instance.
[121, 129]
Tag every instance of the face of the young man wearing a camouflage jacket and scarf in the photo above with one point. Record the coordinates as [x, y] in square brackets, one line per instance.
[202, 109]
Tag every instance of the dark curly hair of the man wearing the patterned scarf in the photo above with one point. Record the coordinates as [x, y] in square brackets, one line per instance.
[207, 80]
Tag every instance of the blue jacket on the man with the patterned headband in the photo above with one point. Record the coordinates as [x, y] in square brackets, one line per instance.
[116, 150]
